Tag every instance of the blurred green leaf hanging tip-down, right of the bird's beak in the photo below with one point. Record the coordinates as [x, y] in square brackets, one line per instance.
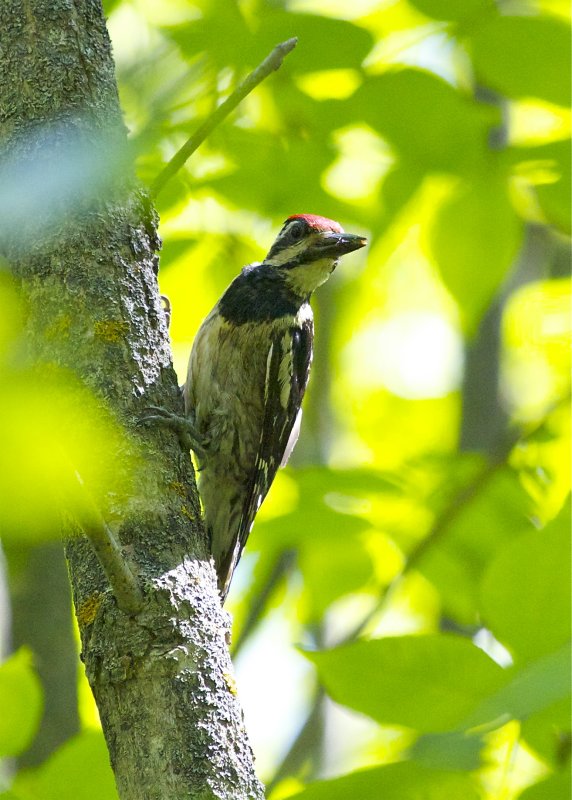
[474, 240]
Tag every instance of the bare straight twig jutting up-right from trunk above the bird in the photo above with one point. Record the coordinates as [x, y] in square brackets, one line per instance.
[270, 64]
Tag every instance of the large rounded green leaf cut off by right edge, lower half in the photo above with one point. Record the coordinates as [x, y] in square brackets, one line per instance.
[525, 593]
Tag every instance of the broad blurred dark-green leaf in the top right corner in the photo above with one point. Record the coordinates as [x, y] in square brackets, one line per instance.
[526, 56]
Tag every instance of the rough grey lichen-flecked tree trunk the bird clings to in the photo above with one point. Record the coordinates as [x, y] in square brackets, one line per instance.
[82, 243]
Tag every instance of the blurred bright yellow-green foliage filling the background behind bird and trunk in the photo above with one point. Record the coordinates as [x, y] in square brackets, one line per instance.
[428, 586]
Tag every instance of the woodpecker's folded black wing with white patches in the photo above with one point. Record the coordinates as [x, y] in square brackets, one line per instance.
[287, 371]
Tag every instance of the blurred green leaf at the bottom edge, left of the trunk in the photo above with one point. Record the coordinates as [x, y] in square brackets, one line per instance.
[79, 770]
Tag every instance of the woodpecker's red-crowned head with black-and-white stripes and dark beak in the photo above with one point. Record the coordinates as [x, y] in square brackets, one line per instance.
[307, 250]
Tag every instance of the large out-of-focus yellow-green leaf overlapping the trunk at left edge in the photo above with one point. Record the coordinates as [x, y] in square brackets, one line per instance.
[54, 451]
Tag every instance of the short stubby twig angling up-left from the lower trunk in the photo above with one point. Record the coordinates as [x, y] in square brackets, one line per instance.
[108, 550]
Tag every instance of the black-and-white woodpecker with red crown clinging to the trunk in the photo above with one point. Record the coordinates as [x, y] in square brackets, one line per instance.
[247, 375]
